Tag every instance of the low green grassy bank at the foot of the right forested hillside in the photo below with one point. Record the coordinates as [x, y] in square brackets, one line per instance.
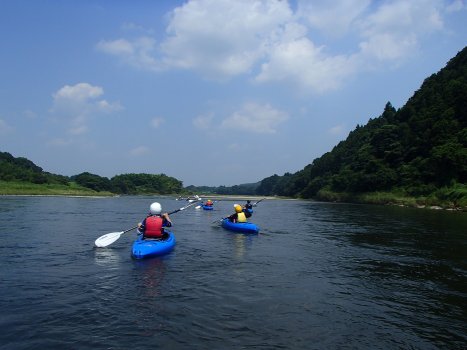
[445, 198]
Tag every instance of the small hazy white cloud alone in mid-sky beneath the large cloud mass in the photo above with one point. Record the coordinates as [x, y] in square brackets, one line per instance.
[255, 118]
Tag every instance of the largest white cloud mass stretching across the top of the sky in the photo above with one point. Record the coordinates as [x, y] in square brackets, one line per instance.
[269, 41]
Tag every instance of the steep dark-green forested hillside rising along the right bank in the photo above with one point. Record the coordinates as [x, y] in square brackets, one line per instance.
[416, 150]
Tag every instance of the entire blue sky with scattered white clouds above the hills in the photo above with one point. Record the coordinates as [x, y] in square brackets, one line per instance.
[211, 92]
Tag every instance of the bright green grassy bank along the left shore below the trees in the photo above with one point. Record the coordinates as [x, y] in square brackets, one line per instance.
[26, 188]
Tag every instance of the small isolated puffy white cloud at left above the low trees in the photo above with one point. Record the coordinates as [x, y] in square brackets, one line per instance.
[77, 104]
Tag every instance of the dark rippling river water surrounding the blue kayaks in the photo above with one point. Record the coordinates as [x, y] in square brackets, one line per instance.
[318, 276]
